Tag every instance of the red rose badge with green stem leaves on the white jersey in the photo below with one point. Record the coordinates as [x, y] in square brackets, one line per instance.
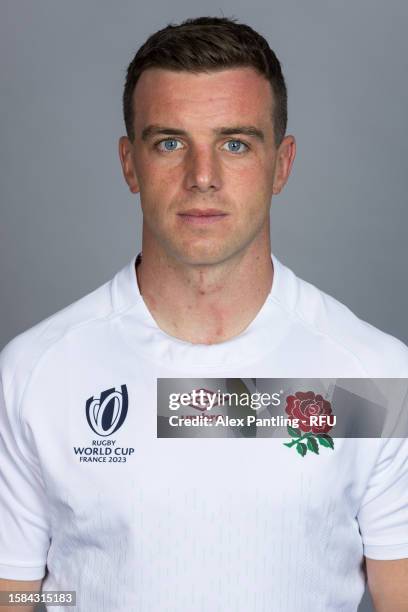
[315, 418]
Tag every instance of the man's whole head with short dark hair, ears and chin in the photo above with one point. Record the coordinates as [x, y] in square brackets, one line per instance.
[205, 110]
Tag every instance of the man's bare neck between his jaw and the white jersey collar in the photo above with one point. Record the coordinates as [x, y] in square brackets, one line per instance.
[205, 304]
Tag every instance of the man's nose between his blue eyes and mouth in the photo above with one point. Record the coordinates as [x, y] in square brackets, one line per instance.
[203, 172]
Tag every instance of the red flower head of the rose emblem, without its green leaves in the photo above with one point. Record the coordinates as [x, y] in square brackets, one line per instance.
[303, 405]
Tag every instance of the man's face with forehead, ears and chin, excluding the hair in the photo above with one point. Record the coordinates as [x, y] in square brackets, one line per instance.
[205, 161]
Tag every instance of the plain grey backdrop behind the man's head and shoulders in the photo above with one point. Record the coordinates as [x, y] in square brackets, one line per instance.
[68, 222]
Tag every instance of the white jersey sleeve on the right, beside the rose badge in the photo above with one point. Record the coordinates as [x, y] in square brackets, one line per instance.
[383, 513]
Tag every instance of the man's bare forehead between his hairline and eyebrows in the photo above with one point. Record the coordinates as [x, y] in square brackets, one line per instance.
[223, 96]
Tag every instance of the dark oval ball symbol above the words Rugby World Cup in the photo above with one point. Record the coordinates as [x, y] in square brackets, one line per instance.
[105, 414]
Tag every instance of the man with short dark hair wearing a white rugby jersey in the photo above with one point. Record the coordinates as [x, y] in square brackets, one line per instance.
[203, 524]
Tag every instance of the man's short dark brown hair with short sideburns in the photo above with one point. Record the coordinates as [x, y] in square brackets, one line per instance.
[205, 44]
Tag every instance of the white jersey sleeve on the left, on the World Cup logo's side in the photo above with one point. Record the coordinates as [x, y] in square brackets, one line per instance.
[24, 528]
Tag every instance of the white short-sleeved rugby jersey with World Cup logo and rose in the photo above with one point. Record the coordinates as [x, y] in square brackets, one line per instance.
[201, 524]
